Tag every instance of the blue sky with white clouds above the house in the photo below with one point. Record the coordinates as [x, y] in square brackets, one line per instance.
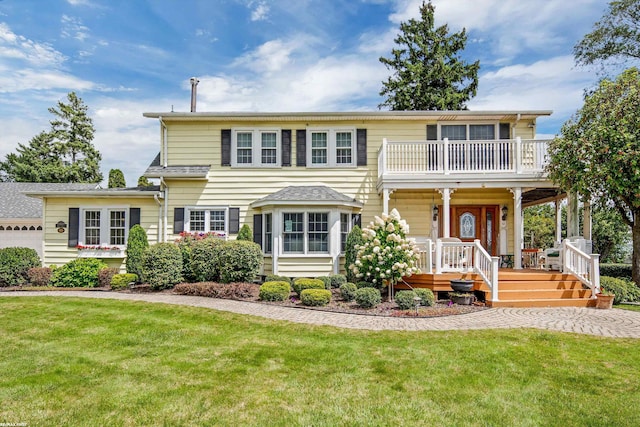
[127, 57]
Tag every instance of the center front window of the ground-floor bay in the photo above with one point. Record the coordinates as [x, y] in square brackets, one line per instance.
[305, 232]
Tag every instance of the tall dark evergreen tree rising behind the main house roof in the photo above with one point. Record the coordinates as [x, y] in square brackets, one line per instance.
[428, 72]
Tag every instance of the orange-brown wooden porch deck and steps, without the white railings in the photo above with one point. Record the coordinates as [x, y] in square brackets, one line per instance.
[516, 288]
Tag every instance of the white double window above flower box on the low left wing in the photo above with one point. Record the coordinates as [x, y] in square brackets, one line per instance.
[104, 227]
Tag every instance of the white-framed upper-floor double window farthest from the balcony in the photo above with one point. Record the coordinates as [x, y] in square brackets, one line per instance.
[255, 147]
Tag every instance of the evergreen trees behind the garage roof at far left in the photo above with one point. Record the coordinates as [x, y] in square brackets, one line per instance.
[64, 154]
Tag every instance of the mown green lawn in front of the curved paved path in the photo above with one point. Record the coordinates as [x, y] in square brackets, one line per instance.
[67, 361]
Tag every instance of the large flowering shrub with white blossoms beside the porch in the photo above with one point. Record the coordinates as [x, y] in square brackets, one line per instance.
[386, 255]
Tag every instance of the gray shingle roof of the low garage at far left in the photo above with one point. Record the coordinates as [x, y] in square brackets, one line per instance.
[14, 203]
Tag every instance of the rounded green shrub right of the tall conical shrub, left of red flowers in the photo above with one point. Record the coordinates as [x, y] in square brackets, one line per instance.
[162, 265]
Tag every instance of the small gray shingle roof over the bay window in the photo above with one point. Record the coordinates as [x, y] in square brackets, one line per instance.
[308, 194]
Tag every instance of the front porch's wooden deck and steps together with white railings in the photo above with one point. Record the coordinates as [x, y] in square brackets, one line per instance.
[443, 261]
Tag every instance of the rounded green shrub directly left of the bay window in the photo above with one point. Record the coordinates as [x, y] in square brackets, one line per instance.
[239, 261]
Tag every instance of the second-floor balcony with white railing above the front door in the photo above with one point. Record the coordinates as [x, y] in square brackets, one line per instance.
[406, 161]
